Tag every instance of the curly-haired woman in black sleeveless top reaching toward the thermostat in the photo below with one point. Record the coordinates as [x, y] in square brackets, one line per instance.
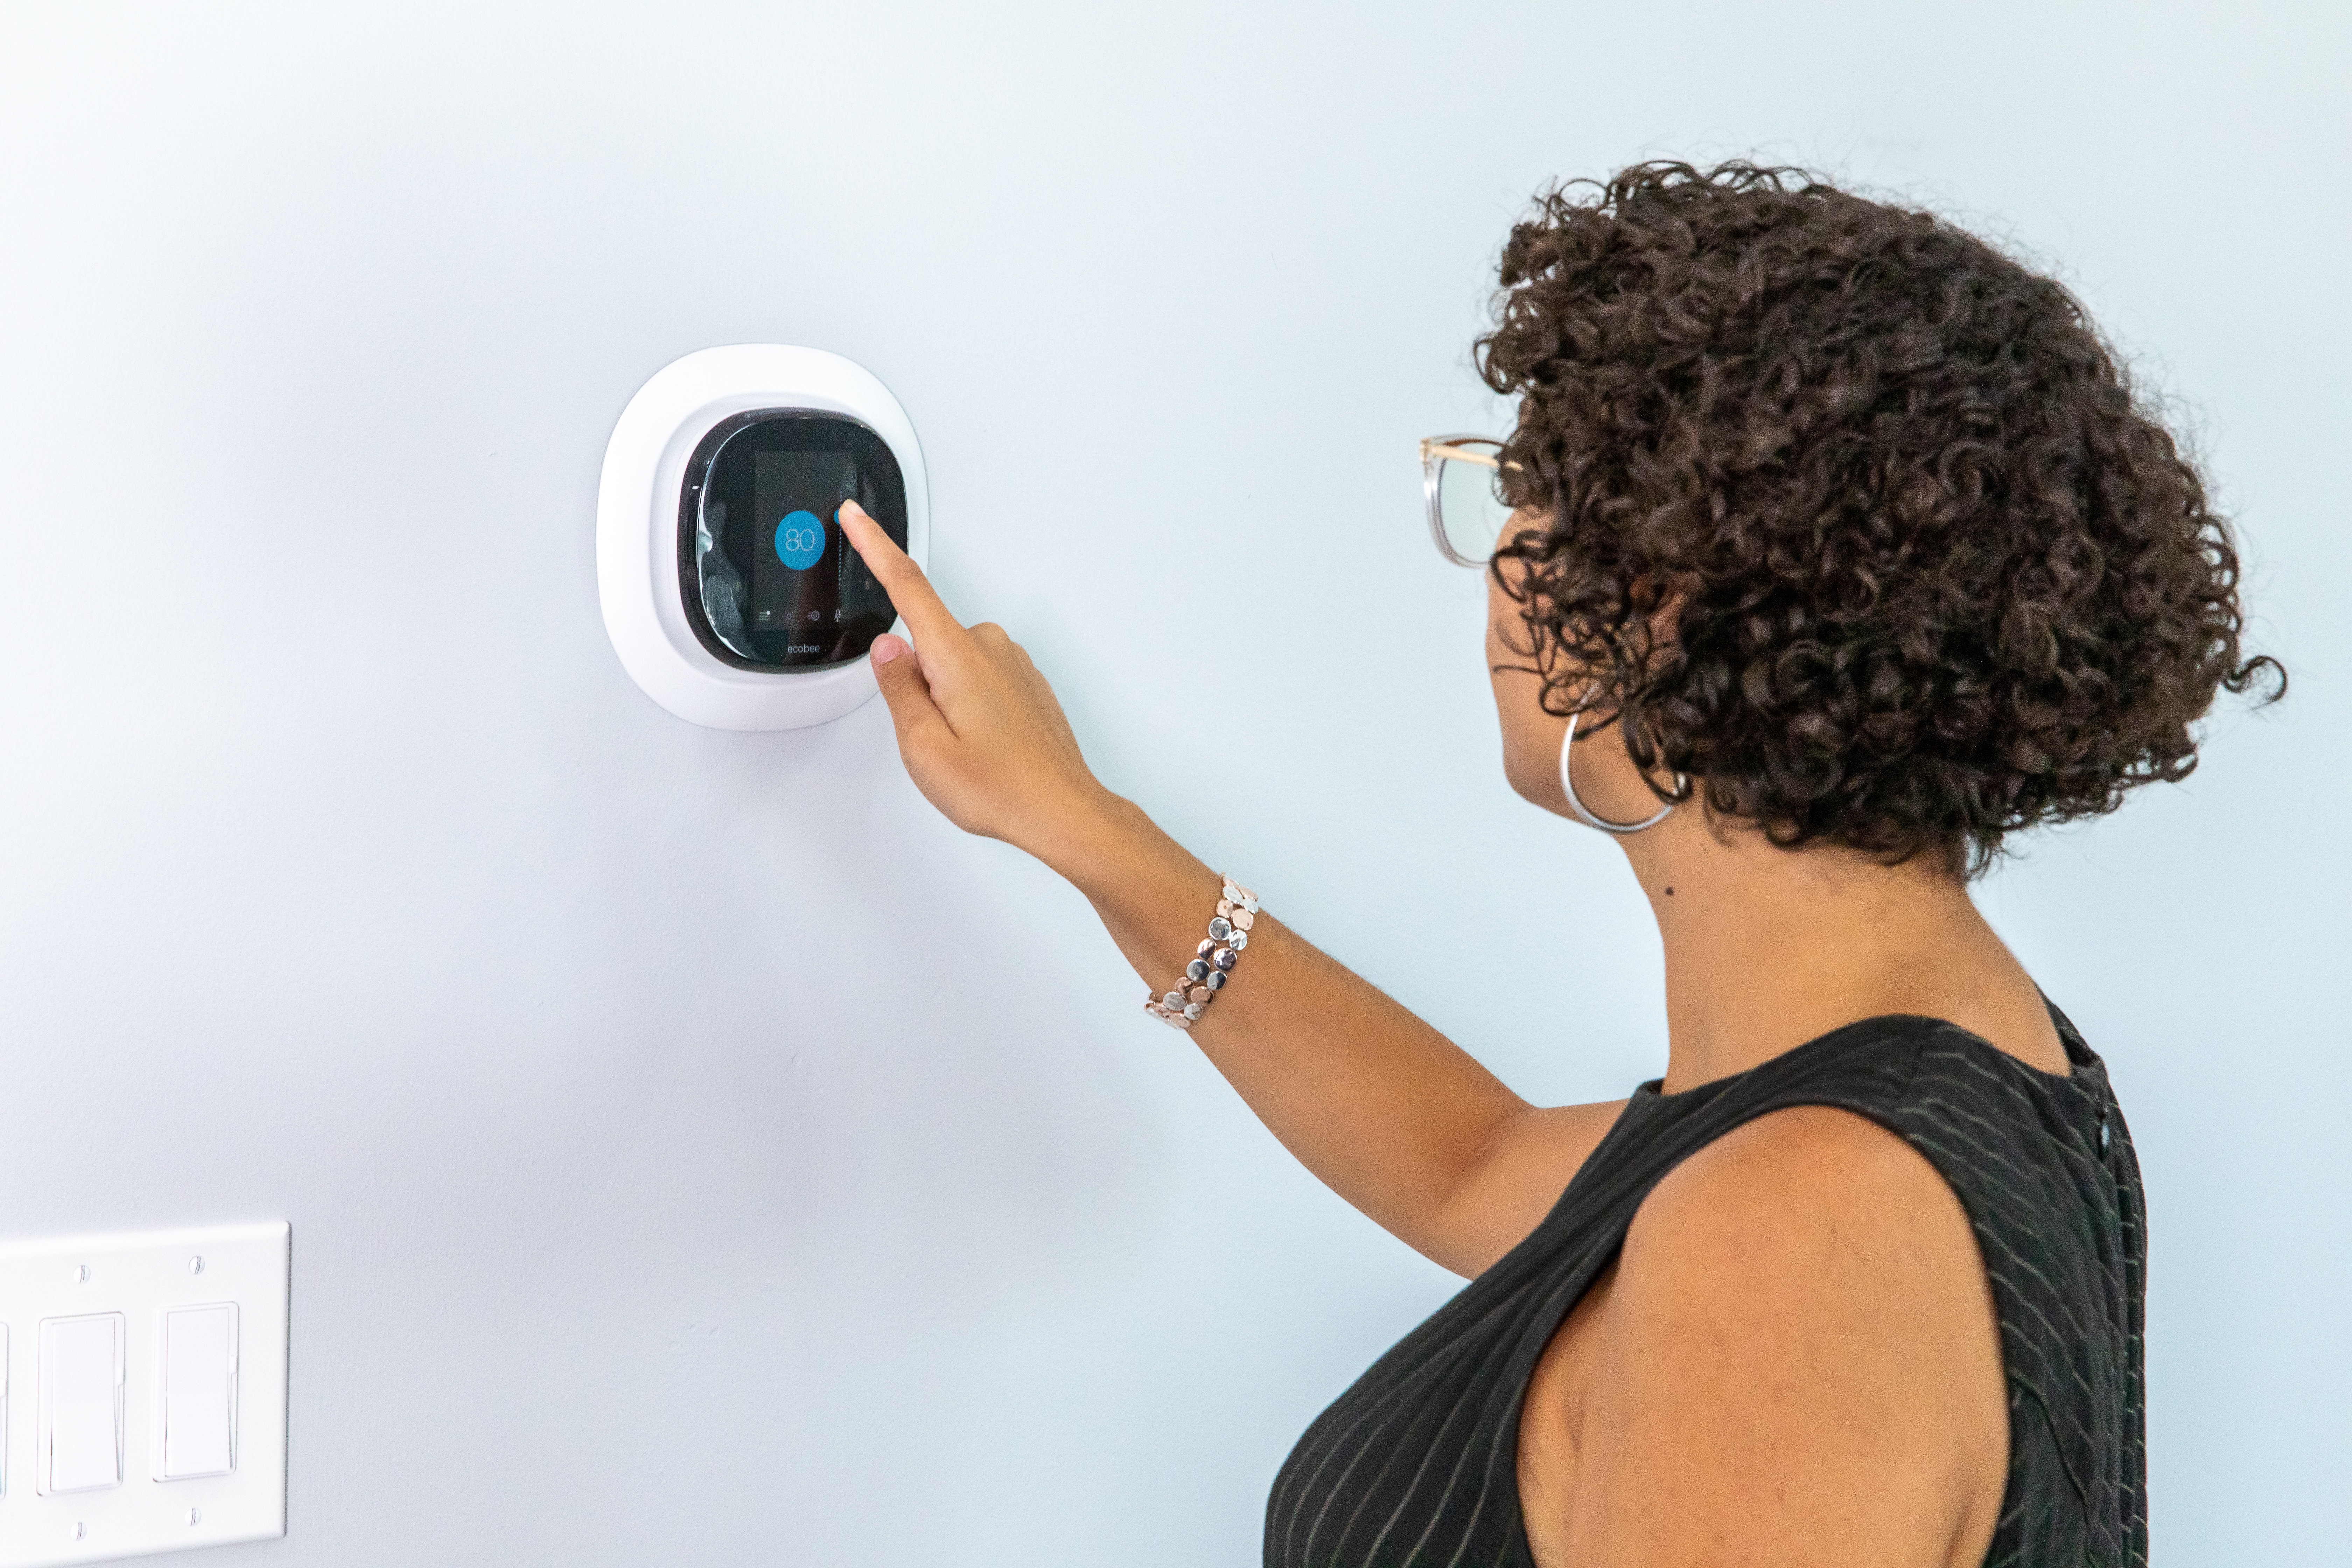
[1838, 554]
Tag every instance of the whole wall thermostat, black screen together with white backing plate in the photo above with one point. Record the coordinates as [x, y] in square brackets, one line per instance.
[730, 591]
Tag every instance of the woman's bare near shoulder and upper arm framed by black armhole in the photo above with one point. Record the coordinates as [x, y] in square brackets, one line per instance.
[1798, 1355]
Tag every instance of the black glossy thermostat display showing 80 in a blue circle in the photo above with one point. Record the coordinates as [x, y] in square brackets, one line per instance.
[768, 575]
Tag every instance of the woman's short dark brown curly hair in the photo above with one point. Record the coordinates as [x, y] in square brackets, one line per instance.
[1847, 516]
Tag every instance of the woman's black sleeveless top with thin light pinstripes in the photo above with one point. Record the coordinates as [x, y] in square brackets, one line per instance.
[1417, 1463]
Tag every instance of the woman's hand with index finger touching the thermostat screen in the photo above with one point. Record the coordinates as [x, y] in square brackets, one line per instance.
[977, 723]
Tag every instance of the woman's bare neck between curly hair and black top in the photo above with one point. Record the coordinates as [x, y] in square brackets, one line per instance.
[1770, 949]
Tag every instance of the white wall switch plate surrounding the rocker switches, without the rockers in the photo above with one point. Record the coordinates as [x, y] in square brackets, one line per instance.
[142, 1278]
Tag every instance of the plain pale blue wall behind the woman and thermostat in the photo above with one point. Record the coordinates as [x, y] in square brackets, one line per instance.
[697, 1153]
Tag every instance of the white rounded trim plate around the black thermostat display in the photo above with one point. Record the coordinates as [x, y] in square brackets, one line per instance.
[636, 528]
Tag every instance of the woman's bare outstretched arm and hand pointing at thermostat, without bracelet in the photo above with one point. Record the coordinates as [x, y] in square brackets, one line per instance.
[1384, 1108]
